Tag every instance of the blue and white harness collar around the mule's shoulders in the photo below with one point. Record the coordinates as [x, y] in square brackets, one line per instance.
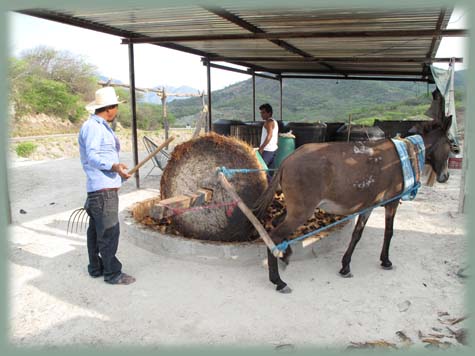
[408, 172]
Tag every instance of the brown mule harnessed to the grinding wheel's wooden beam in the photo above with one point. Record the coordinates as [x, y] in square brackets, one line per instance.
[345, 178]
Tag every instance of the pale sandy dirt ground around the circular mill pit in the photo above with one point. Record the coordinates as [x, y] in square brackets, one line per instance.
[53, 301]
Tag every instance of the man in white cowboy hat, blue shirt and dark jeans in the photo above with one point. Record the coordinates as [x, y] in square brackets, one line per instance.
[99, 148]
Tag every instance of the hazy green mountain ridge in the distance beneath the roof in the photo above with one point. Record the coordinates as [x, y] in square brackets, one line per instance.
[312, 100]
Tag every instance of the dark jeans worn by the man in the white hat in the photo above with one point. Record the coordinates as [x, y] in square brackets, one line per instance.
[103, 234]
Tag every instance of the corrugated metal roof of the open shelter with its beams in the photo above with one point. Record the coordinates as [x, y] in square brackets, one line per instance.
[322, 42]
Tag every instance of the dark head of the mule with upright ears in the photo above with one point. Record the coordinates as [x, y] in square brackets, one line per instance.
[438, 147]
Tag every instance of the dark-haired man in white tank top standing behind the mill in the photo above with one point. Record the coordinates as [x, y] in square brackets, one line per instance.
[269, 136]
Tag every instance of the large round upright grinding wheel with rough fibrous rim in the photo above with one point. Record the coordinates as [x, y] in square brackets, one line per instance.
[192, 165]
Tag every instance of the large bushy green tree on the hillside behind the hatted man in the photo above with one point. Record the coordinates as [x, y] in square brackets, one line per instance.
[44, 80]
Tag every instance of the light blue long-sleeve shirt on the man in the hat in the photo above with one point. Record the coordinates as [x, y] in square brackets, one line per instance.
[99, 149]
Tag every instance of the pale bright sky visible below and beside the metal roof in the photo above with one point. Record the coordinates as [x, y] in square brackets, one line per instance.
[154, 65]
